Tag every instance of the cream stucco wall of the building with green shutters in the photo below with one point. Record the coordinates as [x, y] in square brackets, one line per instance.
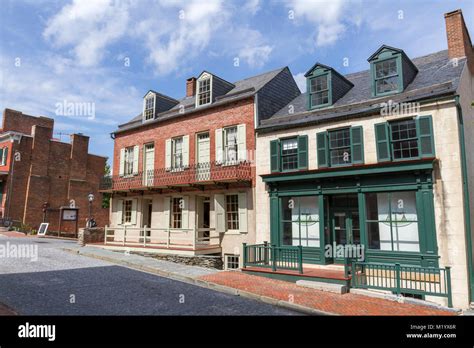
[448, 199]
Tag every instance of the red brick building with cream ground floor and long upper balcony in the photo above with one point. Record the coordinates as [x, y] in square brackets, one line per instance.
[184, 169]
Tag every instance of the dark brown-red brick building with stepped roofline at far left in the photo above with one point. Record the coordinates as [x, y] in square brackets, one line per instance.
[54, 172]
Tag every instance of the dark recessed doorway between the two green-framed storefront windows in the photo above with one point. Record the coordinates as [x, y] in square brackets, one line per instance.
[344, 221]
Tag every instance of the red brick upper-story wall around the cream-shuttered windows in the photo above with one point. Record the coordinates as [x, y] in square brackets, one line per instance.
[208, 120]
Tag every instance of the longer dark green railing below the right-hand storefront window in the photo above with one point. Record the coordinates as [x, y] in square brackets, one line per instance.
[399, 279]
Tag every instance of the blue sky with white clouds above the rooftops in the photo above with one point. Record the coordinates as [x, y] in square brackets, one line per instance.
[109, 53]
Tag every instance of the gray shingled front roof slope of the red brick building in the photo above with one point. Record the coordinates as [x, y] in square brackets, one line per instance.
[243, 88]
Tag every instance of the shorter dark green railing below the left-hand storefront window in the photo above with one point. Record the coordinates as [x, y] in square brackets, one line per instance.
[273, 257]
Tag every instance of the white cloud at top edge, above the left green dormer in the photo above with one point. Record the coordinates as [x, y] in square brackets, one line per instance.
[325, 15]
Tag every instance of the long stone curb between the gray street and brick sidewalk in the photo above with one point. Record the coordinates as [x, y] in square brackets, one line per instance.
[209, 285]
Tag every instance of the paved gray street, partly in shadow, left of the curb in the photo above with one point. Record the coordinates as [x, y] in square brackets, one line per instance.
[62, 283]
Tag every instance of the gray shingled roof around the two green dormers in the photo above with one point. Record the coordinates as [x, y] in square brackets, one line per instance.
[436, 75]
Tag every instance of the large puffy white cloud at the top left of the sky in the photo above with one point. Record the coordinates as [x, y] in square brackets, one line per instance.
[89, 27]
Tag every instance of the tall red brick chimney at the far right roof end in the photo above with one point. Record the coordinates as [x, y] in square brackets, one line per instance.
[459, 42]
